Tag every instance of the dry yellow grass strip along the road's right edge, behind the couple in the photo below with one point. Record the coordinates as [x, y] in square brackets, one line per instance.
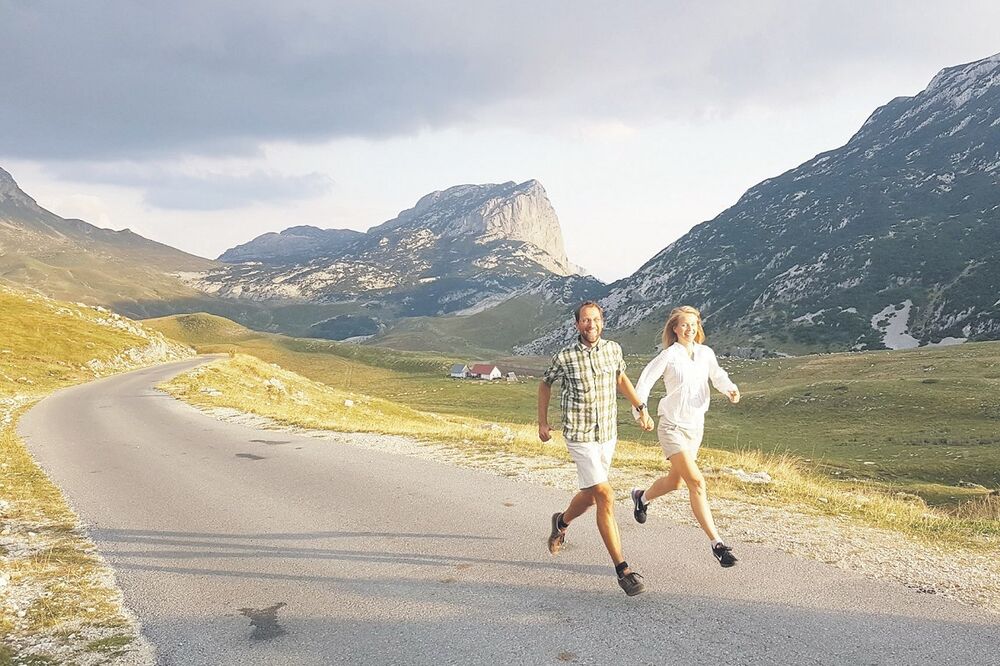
[250, 385]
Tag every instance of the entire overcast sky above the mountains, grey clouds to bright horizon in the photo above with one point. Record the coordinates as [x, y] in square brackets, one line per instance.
[204, 124]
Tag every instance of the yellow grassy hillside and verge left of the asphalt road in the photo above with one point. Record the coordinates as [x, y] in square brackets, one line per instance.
[59, 600]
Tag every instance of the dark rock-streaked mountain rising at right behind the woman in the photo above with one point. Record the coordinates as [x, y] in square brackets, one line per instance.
[892, 240]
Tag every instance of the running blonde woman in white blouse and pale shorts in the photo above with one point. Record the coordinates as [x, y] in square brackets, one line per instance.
[686, 366]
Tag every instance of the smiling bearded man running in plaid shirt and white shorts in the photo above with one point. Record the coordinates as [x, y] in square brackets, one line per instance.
[591, 370]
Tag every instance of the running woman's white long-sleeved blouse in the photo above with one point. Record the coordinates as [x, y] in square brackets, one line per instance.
[686, 381]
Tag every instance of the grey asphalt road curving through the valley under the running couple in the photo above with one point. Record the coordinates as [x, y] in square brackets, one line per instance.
[239, 546]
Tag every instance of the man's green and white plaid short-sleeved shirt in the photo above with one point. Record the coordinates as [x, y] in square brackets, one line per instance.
[589, 389]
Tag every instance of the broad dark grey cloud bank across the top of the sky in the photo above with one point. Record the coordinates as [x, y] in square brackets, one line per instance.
[121, 79]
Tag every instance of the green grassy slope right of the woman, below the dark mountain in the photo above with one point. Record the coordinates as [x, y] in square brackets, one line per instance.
[921, 418]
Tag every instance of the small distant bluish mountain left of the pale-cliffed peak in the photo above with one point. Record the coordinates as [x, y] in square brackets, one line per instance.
[291, 246]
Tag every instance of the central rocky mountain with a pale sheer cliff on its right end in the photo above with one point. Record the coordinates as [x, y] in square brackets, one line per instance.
[454, 249]
